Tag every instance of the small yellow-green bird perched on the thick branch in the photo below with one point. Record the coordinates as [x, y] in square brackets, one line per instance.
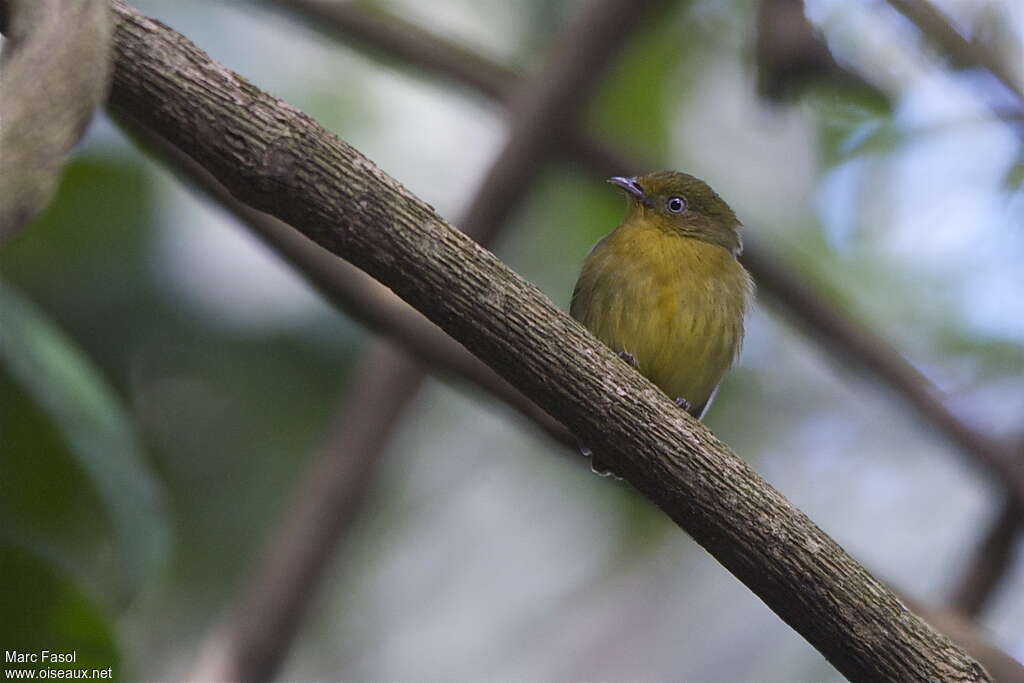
[666, 290]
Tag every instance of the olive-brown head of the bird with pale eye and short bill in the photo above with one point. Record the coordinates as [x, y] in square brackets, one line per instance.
[680, 204]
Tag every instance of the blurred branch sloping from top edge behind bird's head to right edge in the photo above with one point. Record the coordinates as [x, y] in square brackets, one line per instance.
[834, 332]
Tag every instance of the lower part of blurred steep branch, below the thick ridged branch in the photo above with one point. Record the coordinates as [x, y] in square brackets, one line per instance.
[252, 646]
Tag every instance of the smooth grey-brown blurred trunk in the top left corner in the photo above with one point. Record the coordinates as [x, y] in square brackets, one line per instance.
[56, 67]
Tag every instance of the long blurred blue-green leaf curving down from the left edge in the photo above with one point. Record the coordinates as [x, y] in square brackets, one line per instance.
[99, 434]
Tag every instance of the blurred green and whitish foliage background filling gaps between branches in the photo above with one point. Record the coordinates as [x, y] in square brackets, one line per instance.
[480, 554]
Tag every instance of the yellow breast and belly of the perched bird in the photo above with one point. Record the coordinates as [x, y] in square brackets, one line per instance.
[675, 304]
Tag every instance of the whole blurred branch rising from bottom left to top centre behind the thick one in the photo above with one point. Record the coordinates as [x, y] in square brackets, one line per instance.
[254, 645]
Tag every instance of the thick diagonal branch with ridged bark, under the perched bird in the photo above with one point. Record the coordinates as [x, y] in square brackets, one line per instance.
[280, 161]
